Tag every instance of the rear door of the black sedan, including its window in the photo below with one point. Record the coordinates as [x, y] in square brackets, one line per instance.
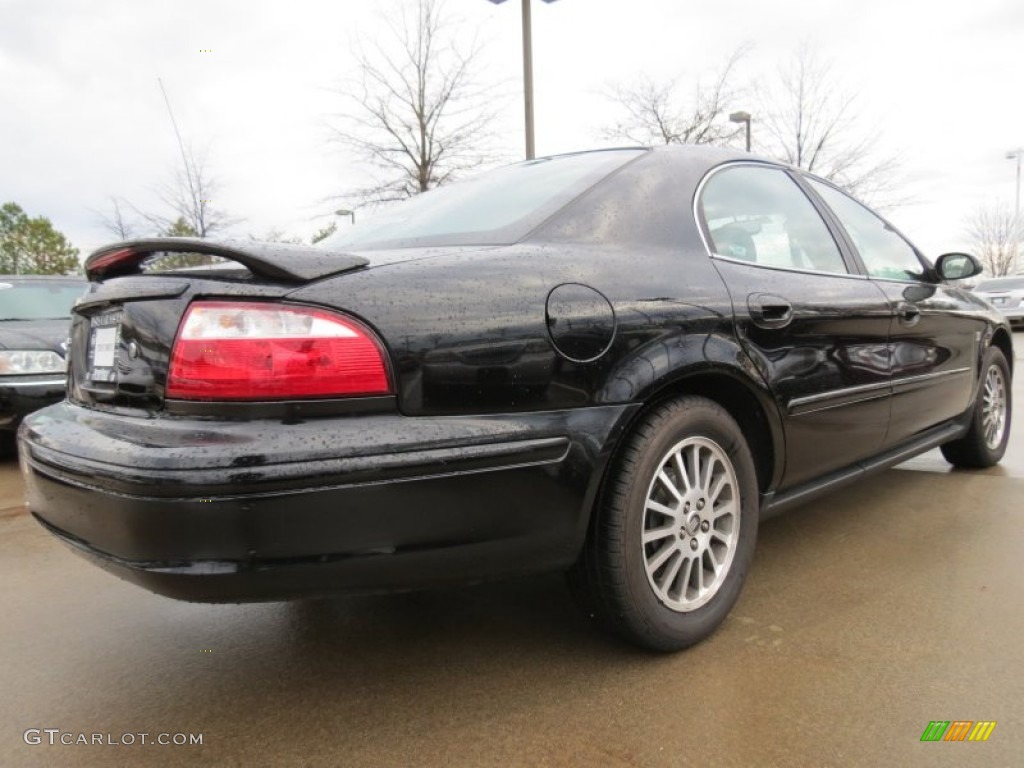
[818, 332]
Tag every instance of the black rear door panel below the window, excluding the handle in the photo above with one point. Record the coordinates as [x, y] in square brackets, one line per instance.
[828, 368]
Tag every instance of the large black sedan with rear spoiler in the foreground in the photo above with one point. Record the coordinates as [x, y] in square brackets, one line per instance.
[612, 363]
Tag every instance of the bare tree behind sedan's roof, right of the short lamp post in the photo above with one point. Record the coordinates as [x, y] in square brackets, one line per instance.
[807, 119]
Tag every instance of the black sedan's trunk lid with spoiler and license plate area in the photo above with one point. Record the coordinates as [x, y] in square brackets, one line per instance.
[124, 328]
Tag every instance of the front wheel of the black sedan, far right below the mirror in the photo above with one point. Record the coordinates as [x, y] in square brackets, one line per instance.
[987, 440]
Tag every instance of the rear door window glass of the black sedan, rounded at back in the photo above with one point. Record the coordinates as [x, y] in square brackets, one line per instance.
[762, 217]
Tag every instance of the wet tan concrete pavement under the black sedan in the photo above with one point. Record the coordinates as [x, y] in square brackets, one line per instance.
[867, 616]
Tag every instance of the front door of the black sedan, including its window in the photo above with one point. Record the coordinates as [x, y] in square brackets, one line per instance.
[934, 345]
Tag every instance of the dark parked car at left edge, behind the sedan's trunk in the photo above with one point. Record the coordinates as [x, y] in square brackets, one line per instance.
[35, 320]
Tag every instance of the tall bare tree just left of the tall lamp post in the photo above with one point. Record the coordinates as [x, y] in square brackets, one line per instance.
[418, 114]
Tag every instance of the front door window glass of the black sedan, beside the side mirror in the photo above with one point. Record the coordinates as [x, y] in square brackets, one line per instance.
[882, 249]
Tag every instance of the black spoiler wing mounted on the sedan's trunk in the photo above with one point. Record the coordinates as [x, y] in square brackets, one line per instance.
[276, 262]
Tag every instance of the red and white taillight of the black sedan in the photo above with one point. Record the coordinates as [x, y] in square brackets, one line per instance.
[262, 352]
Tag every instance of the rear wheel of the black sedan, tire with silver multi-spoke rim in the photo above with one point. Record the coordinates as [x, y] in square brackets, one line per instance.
[673, 535]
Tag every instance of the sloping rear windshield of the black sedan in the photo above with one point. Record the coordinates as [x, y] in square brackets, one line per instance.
[495, 208]
